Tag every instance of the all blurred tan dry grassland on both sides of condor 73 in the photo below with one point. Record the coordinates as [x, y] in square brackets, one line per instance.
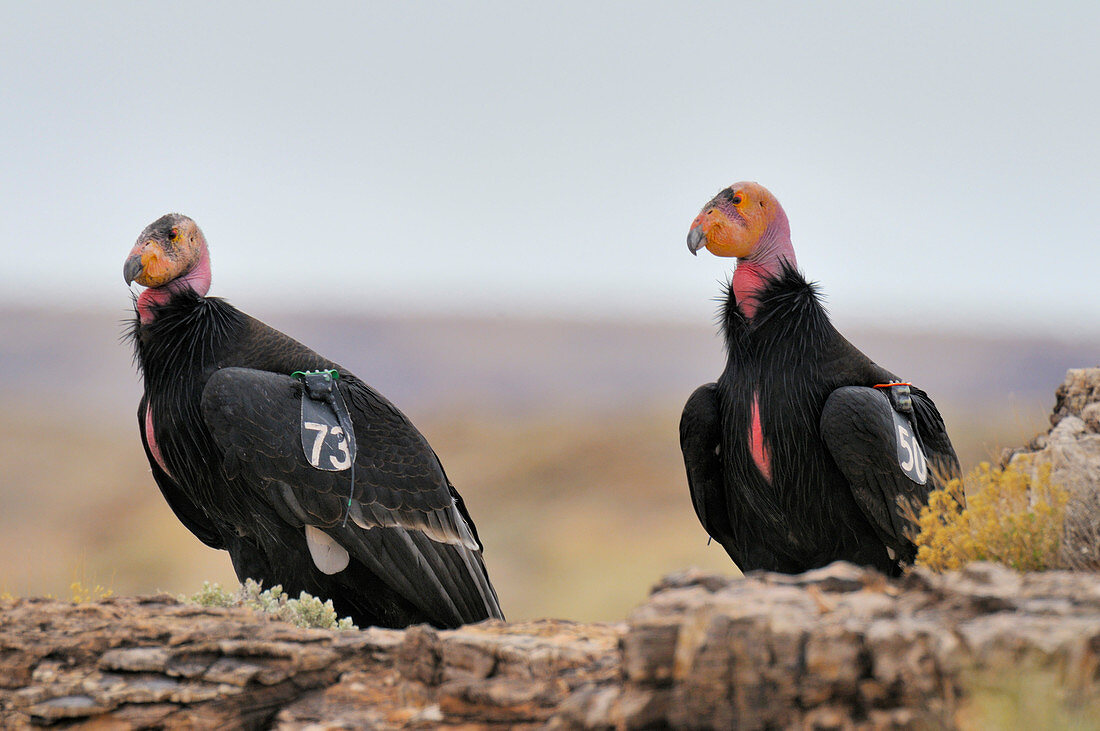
[581, 513]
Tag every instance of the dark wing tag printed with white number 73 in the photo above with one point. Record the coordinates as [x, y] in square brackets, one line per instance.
[328, 438]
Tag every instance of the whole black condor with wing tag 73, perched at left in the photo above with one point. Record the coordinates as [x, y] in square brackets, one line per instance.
[368, 519]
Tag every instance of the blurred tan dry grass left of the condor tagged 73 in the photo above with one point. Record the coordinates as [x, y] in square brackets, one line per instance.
[81, 507]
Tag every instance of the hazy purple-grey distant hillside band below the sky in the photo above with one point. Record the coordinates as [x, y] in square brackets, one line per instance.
[504, 365]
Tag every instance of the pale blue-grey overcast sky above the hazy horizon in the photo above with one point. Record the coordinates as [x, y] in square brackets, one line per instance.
[940, 163]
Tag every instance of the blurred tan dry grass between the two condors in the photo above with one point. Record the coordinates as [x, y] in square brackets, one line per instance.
[580, 517]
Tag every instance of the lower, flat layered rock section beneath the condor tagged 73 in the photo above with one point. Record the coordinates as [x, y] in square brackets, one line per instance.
[156, 663]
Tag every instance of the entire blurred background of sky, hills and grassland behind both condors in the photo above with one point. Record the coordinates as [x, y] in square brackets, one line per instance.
[481, 209]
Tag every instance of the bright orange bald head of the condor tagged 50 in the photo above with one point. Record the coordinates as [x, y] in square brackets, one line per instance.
[735, 221]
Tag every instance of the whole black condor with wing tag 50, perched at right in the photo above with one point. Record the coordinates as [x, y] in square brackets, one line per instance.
[805, 451]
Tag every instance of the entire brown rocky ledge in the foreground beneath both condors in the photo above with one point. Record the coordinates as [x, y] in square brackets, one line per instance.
[841, 648]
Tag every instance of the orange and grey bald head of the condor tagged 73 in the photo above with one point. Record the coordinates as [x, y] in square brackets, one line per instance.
[169, 249]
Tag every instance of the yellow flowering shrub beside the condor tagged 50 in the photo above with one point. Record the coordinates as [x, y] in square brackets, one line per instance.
[1008, 518]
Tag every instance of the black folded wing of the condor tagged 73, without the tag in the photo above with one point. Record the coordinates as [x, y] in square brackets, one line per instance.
[405, 526]
